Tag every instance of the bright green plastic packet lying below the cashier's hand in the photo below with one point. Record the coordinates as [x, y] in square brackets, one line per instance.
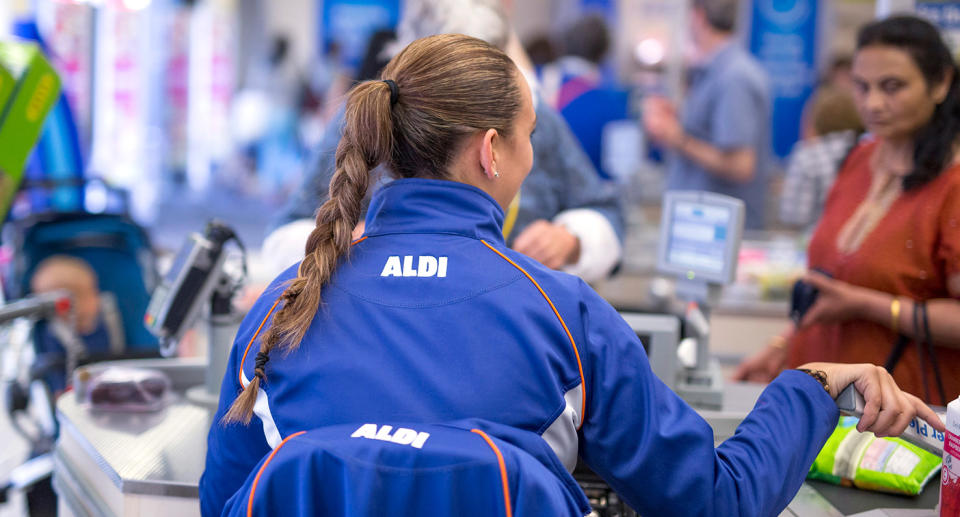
[851, 458]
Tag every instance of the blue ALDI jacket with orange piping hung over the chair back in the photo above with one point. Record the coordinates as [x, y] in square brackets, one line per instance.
[464, 468]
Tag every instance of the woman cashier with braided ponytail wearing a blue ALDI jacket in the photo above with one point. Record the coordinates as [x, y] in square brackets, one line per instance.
[430, 318]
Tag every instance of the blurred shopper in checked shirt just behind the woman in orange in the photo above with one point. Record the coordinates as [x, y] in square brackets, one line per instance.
[832, 128]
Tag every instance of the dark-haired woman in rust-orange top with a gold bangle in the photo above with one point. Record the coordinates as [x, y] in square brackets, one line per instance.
[889, 237]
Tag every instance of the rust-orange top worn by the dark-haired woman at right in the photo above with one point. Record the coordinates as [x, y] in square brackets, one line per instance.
[912, 252]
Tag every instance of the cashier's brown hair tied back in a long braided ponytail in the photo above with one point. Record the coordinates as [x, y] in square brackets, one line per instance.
[445, 88]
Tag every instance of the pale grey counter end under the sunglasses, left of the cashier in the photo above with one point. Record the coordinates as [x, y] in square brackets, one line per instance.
[122, 464]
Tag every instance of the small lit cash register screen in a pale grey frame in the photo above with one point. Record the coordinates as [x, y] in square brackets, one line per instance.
[700, 236]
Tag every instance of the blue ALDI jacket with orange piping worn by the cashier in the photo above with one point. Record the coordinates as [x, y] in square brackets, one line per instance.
[433, 319]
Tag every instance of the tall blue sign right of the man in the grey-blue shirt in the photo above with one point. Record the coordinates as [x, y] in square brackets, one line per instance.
[783, 37]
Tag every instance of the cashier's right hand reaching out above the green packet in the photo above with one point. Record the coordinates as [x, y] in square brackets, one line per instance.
[888, 410]
